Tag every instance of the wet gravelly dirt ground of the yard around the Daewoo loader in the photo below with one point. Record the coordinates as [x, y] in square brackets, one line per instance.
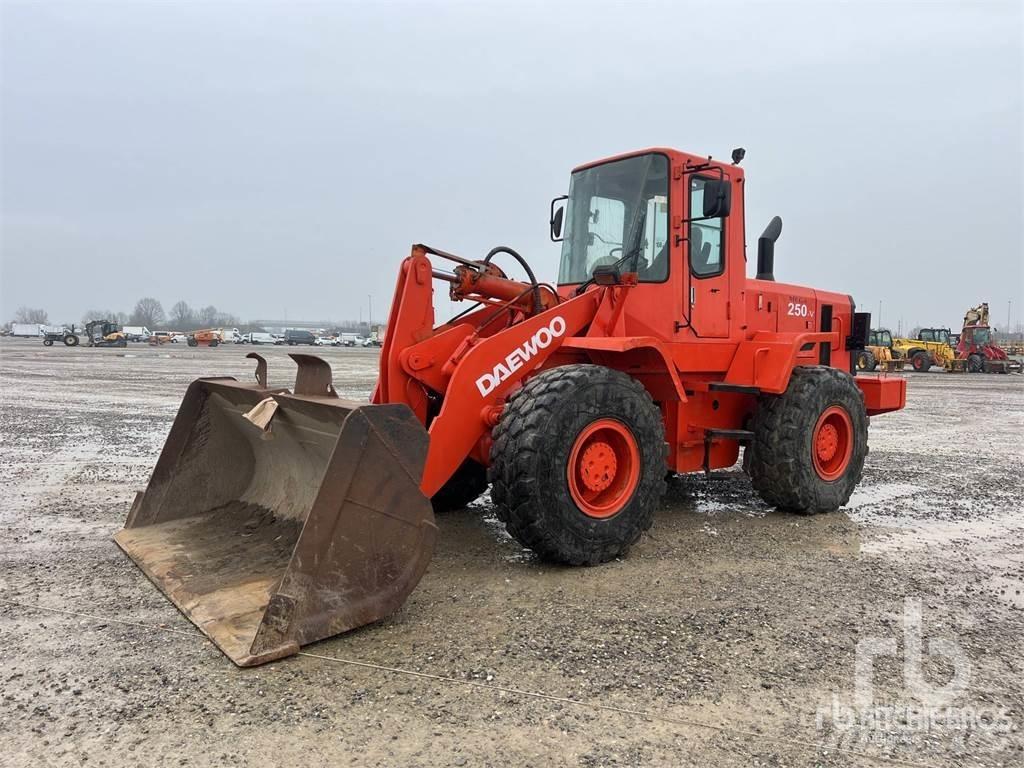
[728, 637]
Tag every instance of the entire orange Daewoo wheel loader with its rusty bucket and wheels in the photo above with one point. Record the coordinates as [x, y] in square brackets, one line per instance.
[278, 518]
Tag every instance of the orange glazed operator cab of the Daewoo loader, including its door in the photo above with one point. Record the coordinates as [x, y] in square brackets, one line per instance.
[662, 216]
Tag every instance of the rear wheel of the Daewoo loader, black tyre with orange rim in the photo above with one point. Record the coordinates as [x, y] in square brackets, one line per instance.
[810, 443]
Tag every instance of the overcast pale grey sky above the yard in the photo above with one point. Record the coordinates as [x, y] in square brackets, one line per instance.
[282, 157]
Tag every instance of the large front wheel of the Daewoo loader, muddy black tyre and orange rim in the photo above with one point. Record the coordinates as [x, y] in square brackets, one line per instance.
[578, 464]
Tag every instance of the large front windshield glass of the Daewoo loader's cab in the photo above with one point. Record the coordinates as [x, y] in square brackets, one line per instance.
[618, 212]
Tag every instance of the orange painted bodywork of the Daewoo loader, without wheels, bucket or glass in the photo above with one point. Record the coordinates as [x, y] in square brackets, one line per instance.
[705, 348]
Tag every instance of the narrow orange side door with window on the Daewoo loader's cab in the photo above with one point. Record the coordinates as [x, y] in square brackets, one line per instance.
[706, 259]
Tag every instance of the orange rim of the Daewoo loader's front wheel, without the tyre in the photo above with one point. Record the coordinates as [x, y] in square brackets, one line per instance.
[605, 468]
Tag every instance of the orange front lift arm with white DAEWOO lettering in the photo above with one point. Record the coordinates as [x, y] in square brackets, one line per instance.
[454, 374]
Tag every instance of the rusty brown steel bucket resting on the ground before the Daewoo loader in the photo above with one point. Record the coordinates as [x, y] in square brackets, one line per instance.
[276, 527]
